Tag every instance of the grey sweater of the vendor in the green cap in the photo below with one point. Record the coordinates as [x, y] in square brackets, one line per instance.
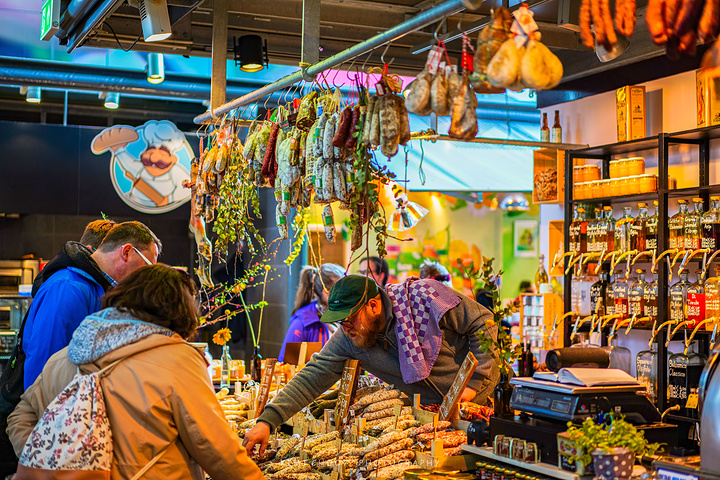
[458, 326]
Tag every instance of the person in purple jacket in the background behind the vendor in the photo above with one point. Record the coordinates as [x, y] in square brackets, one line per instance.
[310, 304]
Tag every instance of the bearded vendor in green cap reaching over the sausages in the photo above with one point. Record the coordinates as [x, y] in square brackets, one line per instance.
[414, 335]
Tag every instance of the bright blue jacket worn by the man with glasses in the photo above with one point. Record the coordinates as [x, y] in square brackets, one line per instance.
[62, 302]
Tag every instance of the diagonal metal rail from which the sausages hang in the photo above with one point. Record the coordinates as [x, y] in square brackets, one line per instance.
[421, 20]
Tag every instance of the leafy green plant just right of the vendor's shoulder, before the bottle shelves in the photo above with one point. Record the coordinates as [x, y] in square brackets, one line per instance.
[502, 349]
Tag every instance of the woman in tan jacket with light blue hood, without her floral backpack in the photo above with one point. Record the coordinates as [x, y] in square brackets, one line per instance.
[159, 391]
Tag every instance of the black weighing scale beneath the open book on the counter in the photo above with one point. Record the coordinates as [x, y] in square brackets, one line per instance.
[546, 408]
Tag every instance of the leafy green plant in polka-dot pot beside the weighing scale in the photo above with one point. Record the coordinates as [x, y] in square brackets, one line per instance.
[611, 446]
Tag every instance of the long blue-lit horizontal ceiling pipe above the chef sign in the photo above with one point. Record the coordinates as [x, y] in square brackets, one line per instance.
[43, 73]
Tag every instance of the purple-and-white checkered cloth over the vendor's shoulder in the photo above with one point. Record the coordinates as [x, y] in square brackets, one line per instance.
[418, 306]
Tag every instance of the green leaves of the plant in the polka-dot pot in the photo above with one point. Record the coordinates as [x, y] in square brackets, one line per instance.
[590, 436]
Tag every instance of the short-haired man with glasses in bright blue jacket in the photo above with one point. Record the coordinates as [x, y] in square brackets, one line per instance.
[74, 292]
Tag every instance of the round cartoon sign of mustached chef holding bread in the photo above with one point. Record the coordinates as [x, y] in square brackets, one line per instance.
[148, 164]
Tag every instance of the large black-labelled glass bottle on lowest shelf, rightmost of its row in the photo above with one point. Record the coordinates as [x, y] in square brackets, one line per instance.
[684, 378]
